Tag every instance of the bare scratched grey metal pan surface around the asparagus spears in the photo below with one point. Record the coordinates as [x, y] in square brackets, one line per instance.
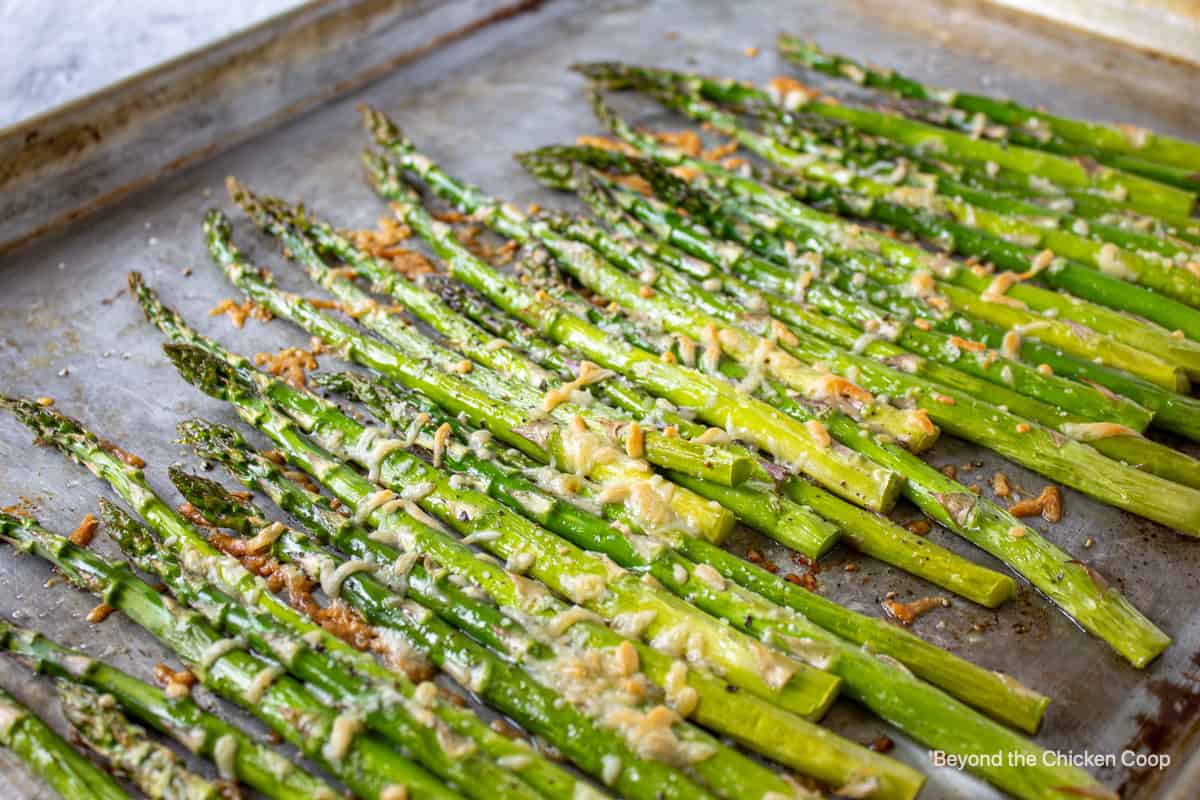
[69, 330]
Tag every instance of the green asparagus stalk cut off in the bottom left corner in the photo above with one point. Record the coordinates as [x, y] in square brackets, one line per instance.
[50, 757]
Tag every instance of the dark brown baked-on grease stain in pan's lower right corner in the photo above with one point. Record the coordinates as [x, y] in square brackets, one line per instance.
[1169, 730]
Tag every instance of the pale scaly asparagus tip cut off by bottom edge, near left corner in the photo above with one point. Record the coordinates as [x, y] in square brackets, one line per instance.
[154, 768]
